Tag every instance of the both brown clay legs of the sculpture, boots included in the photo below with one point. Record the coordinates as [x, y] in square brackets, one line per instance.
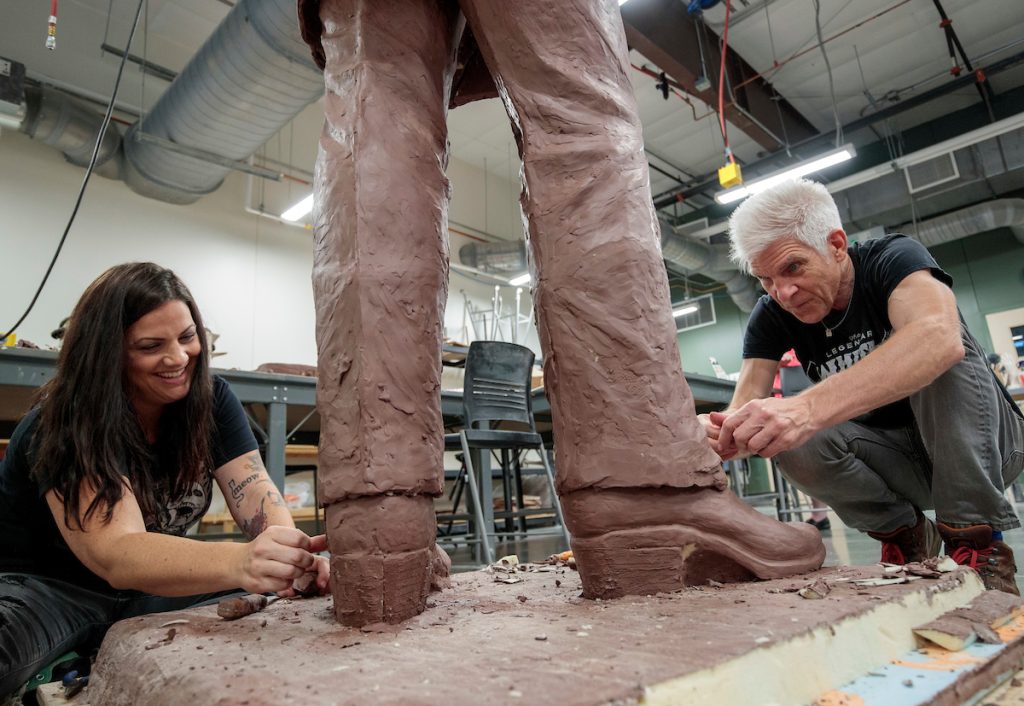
[642, 489]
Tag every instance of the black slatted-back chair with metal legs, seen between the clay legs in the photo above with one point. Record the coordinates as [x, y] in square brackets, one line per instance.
[497, 391]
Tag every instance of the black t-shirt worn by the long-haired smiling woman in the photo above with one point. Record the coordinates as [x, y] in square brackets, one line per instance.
[30, 541]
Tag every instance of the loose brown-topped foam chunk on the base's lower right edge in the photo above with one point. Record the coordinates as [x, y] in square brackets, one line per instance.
[976, 621]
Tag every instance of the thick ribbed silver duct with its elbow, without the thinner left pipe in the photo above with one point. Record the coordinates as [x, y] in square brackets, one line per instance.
[250, 78]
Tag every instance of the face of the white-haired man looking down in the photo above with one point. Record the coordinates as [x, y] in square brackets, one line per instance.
[800, 279]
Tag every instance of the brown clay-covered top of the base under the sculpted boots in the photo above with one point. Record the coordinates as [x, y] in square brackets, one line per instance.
[481, 643]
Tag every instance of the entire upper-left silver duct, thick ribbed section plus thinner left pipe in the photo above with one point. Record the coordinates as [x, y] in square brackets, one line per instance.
[251, 77]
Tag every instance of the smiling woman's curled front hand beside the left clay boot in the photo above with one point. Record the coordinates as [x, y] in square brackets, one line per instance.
[278, 557]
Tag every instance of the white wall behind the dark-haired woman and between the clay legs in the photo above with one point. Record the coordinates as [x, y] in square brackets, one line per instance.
[250, 275]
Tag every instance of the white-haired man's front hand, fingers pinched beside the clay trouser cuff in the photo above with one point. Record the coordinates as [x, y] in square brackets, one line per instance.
[764, 428]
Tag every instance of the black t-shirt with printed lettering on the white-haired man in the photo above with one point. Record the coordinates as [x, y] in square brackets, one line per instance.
[880, 266]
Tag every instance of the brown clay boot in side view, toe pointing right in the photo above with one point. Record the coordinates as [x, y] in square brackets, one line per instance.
[649, 541]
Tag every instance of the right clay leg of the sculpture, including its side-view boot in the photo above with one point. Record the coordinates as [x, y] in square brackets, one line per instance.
[641, 487]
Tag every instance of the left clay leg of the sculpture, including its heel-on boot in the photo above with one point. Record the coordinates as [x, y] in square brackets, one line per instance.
[380, 286]
